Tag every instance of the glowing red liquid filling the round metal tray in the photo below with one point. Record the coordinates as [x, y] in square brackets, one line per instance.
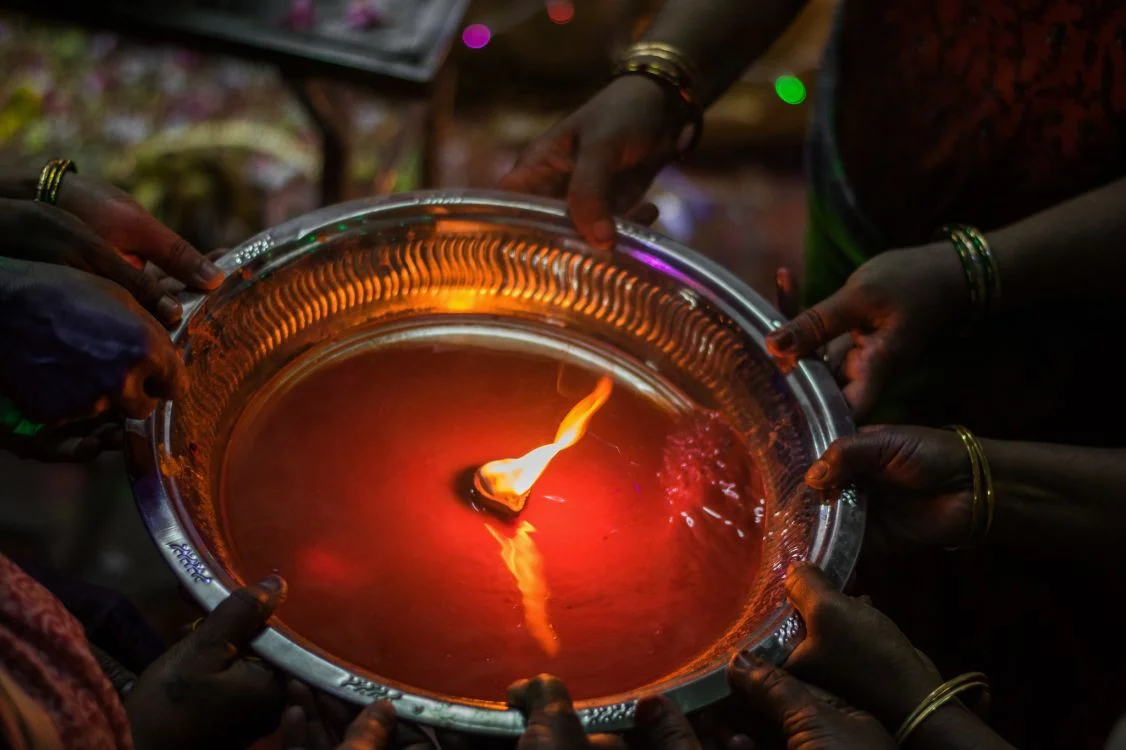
[649, 529]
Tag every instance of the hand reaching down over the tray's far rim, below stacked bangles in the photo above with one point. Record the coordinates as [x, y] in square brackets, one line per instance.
[604, 157]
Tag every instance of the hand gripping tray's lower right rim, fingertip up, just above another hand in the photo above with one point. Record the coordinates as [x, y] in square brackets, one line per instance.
[855, 651]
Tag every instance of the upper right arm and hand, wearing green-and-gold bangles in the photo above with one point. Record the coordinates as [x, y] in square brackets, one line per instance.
[896, 306]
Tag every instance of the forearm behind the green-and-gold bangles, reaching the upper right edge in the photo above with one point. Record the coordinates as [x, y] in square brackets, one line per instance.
[1074, 251]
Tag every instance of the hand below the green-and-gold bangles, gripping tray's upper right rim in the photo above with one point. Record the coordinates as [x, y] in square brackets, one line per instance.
[892, 308]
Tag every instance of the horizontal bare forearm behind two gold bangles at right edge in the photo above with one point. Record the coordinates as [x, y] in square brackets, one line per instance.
[1059, 499]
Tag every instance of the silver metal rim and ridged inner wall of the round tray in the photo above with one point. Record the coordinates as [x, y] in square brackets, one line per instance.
[548, 289]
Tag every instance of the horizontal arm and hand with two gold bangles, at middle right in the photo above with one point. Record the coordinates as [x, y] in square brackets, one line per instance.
[1051, 499]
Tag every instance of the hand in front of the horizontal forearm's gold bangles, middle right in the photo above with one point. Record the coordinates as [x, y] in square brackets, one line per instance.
[919, 484]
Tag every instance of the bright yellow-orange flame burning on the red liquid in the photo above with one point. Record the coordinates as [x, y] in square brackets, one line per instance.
[505, 484]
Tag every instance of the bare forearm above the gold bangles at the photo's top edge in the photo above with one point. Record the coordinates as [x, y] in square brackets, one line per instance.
[722, 38]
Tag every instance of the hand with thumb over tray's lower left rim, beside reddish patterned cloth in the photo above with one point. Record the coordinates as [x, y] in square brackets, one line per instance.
[204, 693]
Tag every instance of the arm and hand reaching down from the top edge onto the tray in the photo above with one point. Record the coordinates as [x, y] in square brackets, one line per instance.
[604, 157]
